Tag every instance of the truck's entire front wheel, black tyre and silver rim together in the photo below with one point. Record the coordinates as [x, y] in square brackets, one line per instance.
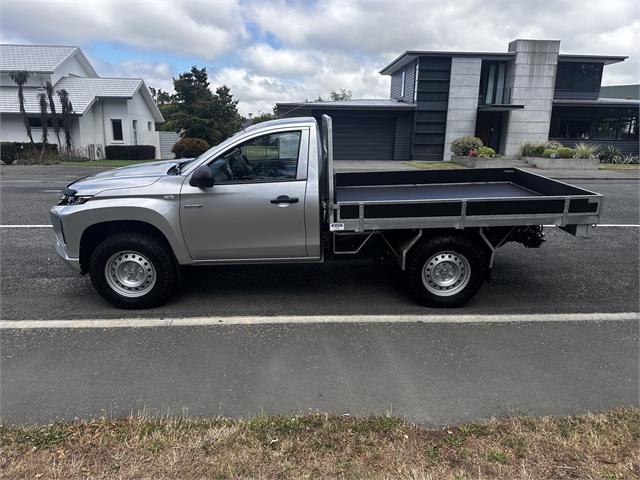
[133, 271]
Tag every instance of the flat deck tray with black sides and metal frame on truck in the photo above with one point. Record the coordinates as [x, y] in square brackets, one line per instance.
[460, 199]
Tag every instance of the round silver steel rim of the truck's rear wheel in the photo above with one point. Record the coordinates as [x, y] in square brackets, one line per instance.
[446, 273]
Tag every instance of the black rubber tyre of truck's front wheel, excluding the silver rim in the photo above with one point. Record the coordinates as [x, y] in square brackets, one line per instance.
[153, 251]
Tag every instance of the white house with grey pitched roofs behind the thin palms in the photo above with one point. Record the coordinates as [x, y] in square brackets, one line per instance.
[107, 111]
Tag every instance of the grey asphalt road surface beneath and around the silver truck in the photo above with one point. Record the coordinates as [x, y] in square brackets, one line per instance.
[428, 372]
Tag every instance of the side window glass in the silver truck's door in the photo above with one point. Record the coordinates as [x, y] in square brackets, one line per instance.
[268, 158]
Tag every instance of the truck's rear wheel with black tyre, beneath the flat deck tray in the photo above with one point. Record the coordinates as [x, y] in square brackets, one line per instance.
[461, 254]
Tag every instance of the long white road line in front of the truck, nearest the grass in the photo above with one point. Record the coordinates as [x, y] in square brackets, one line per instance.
[275, 320]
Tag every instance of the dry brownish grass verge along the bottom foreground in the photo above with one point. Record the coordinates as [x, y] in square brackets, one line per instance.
[602, 446]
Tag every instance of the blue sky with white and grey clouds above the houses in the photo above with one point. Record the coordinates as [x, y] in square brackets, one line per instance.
[276, 50]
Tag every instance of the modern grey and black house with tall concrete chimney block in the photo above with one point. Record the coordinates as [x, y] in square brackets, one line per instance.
[531, 92]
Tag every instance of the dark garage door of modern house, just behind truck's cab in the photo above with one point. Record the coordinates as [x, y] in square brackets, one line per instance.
[363, 138]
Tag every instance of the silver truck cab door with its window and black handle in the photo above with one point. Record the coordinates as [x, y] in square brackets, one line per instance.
[255, 210]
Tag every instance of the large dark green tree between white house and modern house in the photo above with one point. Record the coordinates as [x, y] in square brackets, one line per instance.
[195, 111]
